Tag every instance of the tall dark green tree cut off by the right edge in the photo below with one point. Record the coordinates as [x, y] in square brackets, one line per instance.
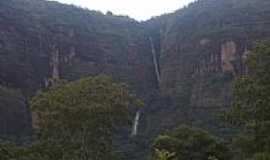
[251, 104]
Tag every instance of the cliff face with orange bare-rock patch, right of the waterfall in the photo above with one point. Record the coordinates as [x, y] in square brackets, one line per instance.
[201, 49]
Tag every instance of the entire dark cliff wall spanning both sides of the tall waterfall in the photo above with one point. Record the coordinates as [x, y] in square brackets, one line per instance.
[182, 64]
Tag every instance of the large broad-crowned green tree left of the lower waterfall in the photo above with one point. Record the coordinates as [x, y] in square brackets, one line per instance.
[76, 120]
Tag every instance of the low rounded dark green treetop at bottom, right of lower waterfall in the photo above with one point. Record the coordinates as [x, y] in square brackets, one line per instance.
[191, 143]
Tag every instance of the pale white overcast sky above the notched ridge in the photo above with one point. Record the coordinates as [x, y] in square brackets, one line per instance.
[138, 9]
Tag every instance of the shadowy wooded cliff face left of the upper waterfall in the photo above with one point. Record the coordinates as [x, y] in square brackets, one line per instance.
[41, 42]
